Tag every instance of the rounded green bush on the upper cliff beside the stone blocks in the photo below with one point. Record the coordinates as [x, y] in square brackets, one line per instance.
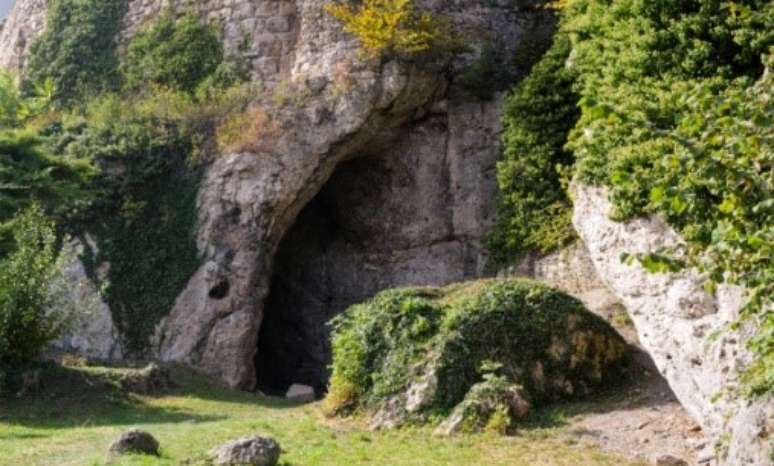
[175, 53]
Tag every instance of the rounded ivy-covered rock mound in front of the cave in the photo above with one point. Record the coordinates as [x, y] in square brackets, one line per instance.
[490, 348]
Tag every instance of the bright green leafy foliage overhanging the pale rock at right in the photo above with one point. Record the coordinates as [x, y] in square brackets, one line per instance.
[678, 120]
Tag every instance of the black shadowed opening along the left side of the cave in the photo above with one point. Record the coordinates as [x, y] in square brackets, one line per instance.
[293, 343]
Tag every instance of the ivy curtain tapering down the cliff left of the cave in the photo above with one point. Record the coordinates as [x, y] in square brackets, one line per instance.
[144, 213]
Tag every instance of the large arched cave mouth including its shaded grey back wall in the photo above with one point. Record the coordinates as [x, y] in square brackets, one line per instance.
[391, 217]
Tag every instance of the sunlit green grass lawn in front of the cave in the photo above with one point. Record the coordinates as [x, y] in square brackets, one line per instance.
[80, 412]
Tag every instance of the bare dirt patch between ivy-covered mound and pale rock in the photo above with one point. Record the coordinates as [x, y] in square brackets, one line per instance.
[645, 422]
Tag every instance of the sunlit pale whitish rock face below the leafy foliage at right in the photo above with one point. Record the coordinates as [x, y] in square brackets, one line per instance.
[675, 318]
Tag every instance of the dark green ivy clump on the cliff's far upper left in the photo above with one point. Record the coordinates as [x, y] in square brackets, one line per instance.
[77, 49]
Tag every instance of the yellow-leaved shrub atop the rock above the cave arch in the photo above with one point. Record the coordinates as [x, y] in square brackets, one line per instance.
[392, 27]
